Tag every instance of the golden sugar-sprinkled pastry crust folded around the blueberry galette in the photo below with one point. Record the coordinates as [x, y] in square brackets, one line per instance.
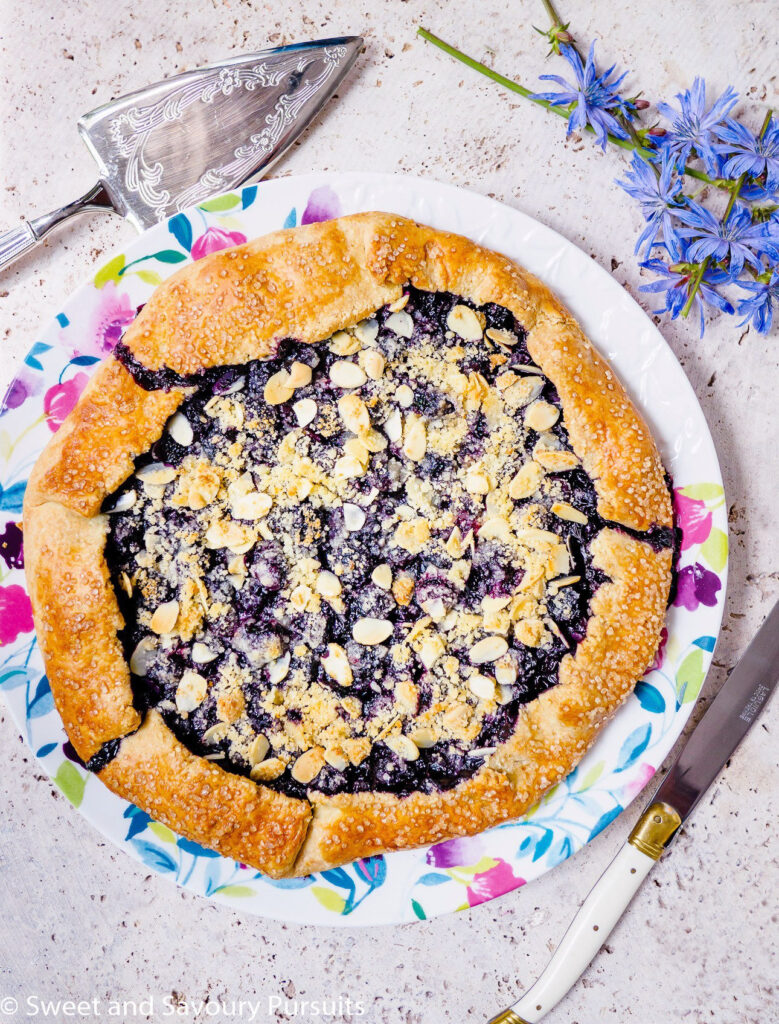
[235, 307]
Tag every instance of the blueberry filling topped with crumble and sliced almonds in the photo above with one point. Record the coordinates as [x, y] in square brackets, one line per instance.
[348, 568]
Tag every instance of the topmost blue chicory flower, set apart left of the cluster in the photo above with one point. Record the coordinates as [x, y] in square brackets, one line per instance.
[592, 97]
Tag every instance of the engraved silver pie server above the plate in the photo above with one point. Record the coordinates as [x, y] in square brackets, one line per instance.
[177, 143]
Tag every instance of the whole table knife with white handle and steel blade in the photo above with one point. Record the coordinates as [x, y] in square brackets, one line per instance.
[725, 724]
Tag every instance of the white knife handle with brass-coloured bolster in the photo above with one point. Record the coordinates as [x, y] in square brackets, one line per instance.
[597, 917]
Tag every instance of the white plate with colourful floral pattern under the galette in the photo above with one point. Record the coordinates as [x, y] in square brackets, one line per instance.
[452, 876]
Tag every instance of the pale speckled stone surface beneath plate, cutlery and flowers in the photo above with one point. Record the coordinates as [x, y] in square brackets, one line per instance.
[81, 920]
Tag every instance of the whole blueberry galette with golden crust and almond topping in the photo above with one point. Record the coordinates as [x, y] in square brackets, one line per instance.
[353, 545]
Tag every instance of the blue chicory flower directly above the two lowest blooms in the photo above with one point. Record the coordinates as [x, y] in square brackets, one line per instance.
[737, 239]
